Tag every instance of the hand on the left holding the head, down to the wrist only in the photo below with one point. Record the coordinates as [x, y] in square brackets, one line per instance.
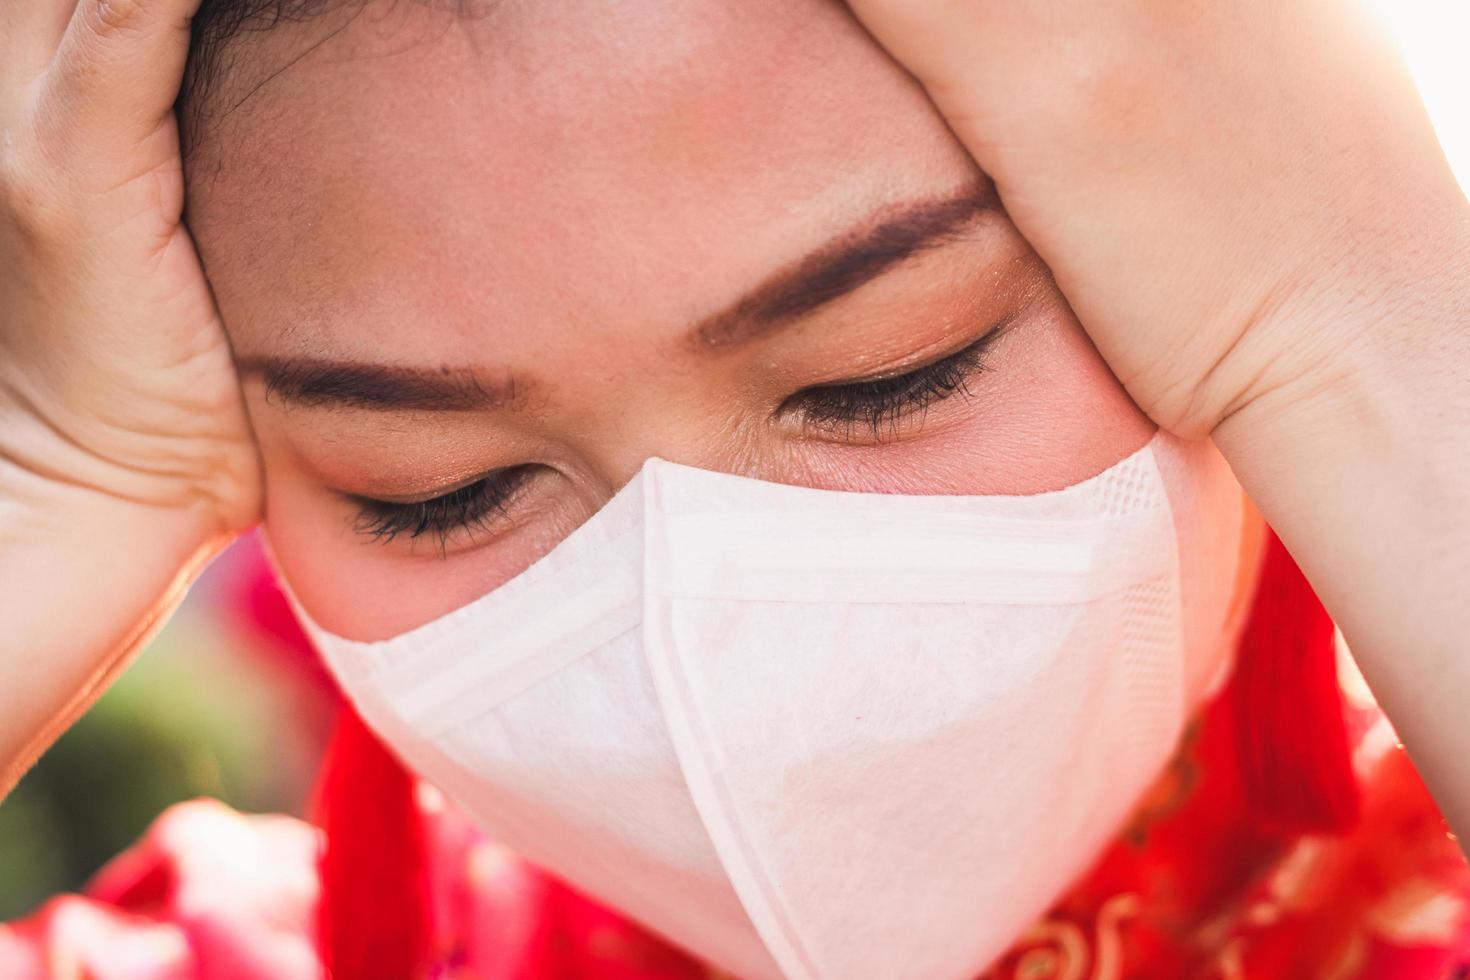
[115, 375]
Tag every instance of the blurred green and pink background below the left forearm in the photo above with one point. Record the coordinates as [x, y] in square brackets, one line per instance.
[218, 706]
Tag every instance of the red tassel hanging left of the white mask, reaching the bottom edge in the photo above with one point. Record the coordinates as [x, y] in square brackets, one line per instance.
[374, 918]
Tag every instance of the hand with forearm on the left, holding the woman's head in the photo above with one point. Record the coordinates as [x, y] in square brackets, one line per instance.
[126, 456]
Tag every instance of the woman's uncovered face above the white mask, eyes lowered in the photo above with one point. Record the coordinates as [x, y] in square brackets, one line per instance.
[508, 258]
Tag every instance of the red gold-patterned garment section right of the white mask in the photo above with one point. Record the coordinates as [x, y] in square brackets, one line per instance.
[1193, 891]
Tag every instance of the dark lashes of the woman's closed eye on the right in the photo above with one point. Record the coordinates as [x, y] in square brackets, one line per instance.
[880, 405]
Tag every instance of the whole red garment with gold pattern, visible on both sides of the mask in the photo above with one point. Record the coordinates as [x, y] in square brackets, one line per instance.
[1188, 891]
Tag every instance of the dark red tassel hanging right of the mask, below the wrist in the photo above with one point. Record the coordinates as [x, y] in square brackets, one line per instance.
[1294, 753]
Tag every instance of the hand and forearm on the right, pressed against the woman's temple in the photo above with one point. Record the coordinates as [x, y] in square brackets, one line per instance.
[1297, 281]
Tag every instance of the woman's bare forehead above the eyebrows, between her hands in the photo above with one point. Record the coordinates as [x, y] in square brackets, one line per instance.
[543, 167]
